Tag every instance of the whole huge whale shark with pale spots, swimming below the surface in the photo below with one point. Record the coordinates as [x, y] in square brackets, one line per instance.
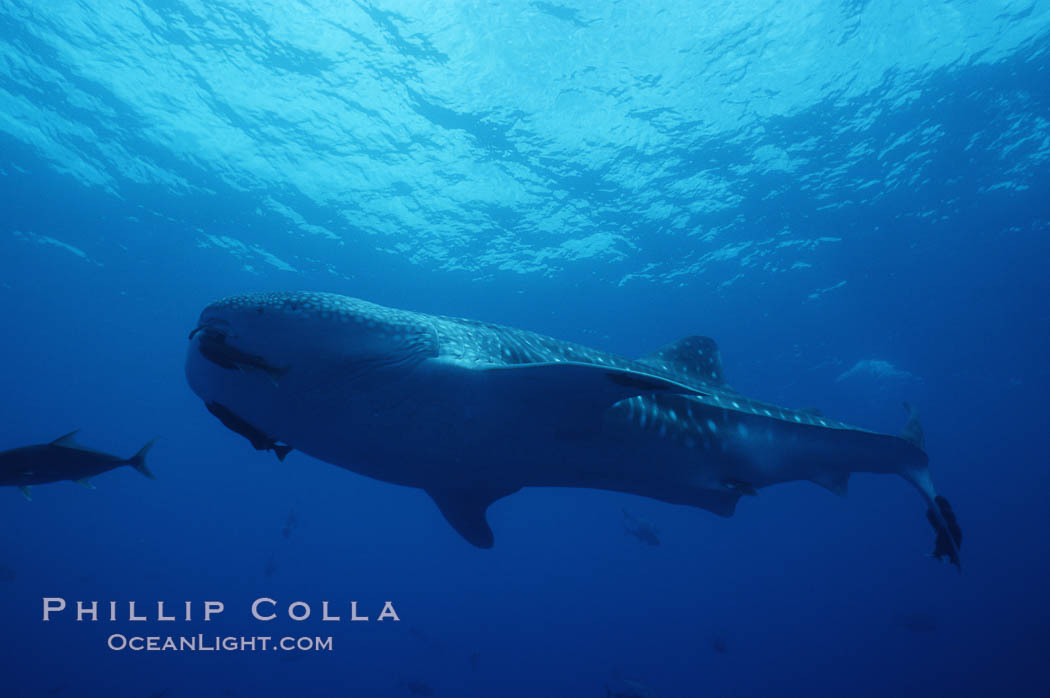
[472, 412]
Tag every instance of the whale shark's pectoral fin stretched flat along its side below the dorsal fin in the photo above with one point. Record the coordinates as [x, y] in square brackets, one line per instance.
[570, 385]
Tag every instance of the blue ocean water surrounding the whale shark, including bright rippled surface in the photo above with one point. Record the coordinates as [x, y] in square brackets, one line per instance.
[850, 197]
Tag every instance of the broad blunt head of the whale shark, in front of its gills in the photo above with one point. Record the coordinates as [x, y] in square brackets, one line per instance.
[247, 351]
